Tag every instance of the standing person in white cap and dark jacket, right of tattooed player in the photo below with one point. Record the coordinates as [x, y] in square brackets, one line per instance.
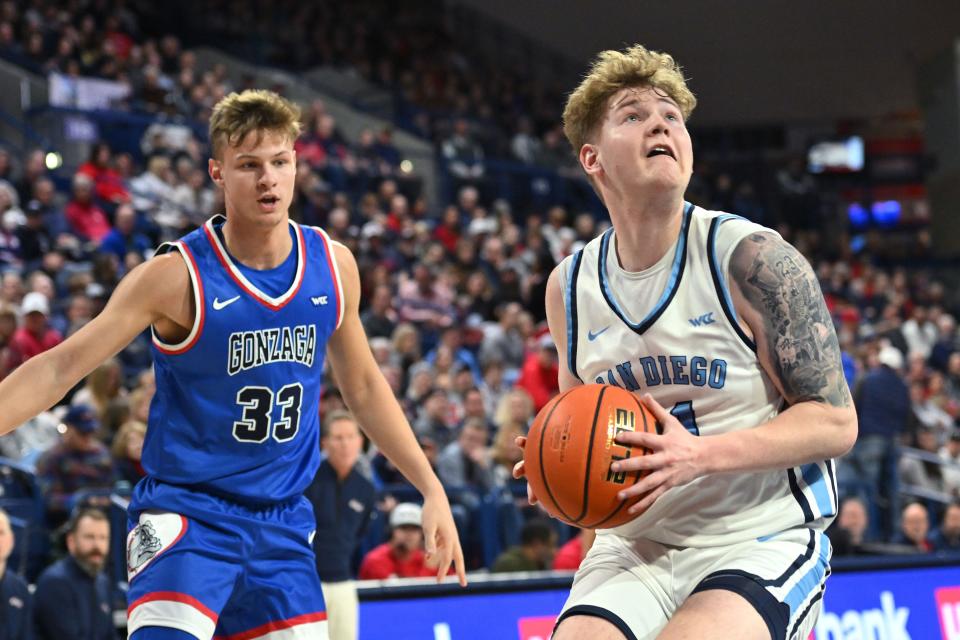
[883, 410]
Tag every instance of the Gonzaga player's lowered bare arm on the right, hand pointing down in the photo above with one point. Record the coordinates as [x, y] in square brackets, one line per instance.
[371, 401]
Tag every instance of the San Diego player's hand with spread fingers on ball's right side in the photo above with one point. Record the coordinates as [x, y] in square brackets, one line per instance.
[673, 458]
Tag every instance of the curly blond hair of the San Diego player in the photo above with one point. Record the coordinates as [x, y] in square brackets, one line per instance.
[612, 71]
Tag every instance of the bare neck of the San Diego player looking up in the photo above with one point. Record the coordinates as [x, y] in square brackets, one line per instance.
[645, 231]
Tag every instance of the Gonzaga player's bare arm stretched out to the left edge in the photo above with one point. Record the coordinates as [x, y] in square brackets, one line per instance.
[157, 292]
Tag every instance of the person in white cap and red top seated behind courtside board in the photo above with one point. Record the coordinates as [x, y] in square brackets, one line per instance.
[402, 555]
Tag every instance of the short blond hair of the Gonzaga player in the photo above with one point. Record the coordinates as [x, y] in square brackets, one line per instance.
[252, 110]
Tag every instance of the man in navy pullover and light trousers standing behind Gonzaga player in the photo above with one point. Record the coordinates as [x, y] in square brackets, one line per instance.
[343, 500]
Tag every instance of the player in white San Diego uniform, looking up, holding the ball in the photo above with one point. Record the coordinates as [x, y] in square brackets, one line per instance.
[720, 328]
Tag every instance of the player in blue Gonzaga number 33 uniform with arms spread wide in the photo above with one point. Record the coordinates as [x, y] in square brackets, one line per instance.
[243, 312]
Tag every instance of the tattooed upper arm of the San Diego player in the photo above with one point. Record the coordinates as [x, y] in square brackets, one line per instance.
[795, 326]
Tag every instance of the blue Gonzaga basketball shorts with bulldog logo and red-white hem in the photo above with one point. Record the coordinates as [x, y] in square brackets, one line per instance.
[217, 569]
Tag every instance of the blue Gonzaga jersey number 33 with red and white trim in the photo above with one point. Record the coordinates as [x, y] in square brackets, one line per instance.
[235, 411]
